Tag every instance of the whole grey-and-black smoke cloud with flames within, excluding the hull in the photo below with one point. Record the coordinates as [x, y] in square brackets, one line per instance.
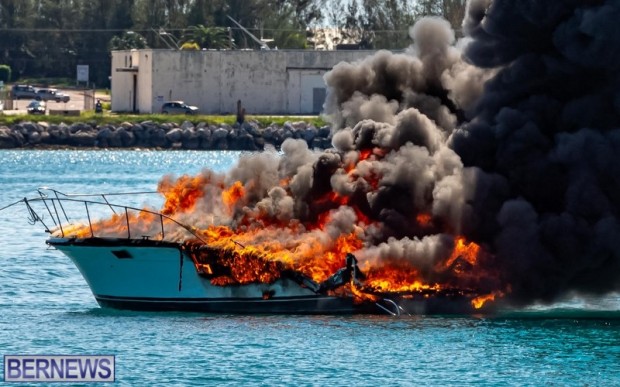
[488, 163]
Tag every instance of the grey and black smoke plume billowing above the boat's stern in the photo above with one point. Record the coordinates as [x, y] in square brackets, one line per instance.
[509, 136]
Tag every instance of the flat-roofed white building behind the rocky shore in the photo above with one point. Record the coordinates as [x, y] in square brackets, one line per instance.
[266, 81]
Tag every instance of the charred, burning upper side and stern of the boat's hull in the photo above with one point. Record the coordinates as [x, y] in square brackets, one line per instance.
[231, 268]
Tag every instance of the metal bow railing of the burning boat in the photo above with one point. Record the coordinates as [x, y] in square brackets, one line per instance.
[55, 202]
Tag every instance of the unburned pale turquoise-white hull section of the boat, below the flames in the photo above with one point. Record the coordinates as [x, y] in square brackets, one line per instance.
[158, 276]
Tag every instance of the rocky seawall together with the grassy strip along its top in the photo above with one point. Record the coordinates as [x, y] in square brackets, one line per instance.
[157, 131]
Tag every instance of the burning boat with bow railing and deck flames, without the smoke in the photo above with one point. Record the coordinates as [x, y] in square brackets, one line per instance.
[172, 266]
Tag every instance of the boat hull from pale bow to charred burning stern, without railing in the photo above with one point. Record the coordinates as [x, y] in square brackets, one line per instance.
[143, 274]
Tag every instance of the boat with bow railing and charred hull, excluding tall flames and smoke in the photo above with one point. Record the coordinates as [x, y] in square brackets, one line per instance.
[127, 269]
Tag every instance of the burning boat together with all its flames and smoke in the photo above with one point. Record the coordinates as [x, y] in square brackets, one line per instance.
[461, 172]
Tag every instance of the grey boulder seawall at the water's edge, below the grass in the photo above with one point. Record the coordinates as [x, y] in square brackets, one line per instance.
[147, 134]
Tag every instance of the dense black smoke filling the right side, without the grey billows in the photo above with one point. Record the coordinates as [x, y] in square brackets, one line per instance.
[548, 123]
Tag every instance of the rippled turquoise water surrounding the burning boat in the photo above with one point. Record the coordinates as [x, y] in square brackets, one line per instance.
[47, 308]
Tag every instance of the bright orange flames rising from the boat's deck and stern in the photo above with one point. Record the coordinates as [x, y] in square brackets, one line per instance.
[236, 241]
